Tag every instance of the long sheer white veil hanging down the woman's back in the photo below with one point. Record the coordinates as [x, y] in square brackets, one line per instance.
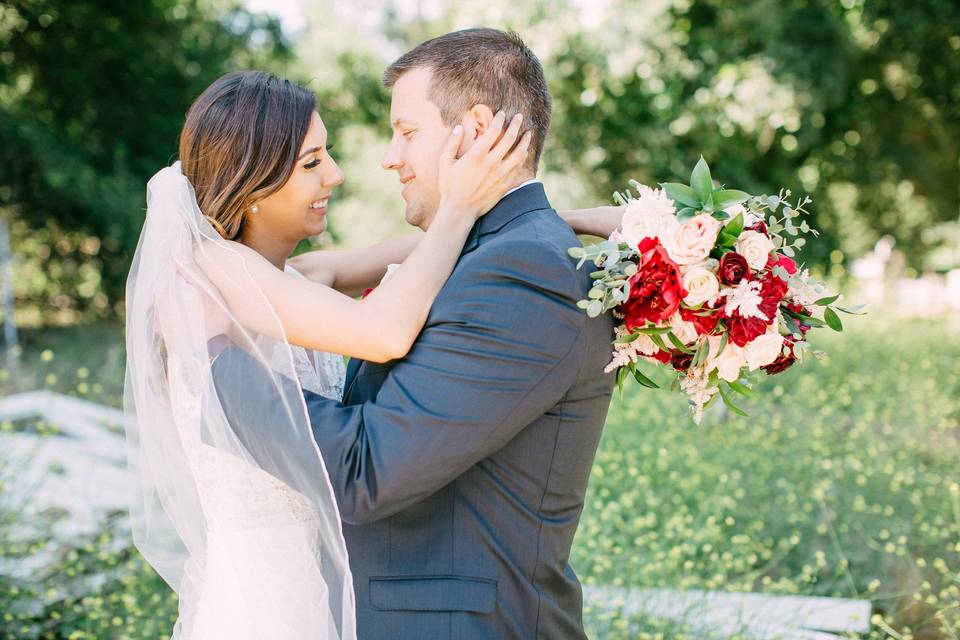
[240, 522]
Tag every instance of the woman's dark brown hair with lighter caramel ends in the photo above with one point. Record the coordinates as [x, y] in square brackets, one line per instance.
[240, 143]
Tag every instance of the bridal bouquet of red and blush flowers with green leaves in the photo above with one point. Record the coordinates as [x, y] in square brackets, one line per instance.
[703, 280]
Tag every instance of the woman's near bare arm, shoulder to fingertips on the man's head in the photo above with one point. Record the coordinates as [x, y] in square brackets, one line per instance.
[383, 325]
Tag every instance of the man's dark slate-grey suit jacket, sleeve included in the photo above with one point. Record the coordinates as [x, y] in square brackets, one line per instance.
[460, 470]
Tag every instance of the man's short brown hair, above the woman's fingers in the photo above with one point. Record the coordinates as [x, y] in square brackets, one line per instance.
[483, 66]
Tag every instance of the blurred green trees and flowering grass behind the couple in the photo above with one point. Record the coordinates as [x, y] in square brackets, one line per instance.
[843, 482]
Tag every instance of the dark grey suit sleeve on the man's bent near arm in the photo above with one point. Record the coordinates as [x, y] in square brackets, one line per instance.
[495, 354]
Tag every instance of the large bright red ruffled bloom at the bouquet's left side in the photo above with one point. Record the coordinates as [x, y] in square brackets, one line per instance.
[656, 290]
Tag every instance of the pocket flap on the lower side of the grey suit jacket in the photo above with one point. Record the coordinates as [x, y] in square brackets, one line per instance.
[433, 593]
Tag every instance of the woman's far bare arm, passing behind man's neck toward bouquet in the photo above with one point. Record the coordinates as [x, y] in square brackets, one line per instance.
[353, 271]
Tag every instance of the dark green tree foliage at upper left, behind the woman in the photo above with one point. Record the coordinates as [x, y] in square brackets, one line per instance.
[92, 99]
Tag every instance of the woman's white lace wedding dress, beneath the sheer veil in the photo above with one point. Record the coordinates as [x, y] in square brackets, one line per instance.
[261, 577]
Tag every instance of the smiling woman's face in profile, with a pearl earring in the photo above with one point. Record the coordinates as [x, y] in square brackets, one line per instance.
[299, 208]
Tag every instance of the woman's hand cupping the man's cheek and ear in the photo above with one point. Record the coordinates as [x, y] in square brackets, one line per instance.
[475, 182]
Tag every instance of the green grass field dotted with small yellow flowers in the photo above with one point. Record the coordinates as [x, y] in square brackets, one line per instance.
[844, 481]
